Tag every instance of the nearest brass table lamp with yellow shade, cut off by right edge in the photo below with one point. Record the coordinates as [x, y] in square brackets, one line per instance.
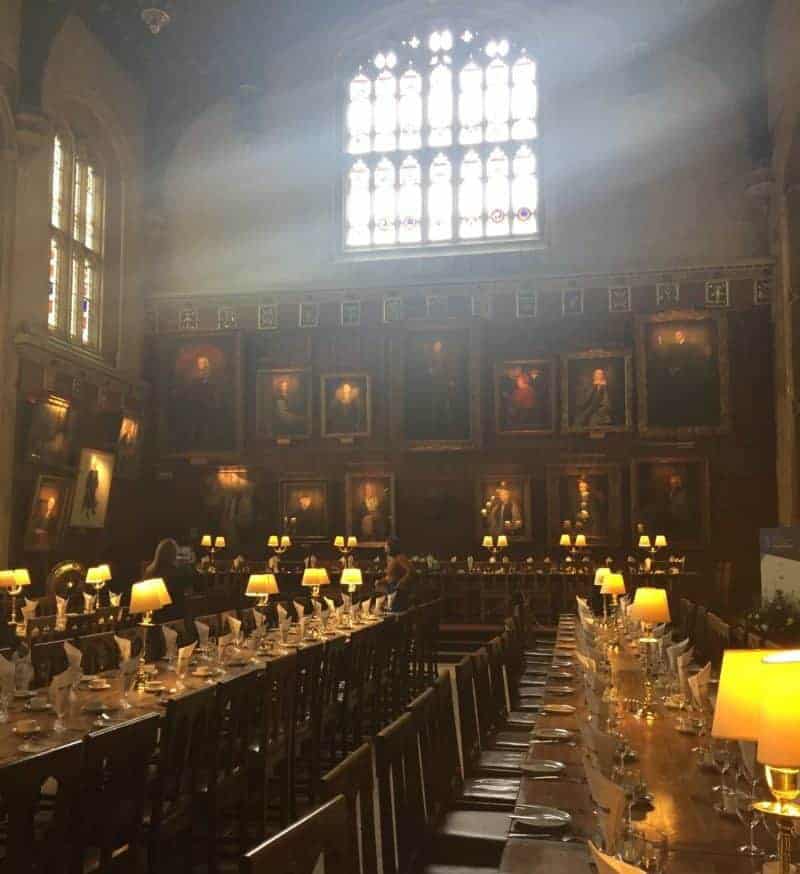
[779, 745]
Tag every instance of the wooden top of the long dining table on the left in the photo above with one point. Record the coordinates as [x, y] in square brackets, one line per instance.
[79, 722]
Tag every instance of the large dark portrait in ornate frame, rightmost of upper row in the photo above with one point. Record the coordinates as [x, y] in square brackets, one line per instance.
[683, 374]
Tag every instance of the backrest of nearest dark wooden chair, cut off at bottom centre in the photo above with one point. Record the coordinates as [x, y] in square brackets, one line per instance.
[296, 850]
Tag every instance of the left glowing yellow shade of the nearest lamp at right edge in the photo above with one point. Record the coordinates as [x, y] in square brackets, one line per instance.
[736, 713]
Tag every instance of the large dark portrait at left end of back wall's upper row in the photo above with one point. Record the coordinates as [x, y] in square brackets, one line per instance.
[201, 398]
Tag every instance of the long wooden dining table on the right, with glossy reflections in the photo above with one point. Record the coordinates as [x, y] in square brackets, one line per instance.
[683, 797]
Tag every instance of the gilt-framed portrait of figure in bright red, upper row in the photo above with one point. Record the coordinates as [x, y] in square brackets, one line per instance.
[524, 394]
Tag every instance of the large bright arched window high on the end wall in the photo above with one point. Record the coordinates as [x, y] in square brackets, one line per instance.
[441, 143]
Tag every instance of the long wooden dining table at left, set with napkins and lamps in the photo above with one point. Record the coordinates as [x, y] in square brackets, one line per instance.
[91, 709]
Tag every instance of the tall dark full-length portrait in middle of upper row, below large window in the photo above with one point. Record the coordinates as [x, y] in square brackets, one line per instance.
[437, 387]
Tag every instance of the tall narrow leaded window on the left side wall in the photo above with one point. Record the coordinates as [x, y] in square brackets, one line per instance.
[76, 242]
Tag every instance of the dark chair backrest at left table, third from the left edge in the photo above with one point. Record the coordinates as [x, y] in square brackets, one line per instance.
[184, 748]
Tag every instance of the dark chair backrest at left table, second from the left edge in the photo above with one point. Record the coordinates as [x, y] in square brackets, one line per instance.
[114, 790]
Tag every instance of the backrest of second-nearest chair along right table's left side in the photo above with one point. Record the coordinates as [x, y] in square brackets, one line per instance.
[354, 778]
